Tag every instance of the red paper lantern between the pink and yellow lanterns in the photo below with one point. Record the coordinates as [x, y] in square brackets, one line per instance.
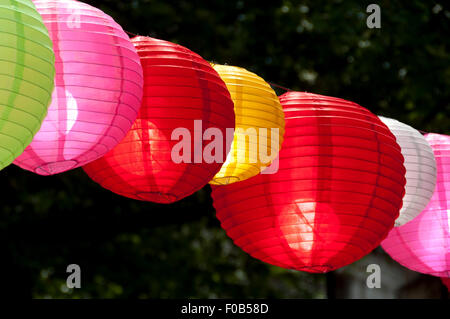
[185, 103]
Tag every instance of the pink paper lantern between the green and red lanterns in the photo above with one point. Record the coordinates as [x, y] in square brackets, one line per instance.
[98, 88]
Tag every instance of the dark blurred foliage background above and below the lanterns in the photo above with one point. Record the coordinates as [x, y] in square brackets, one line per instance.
[131, 249]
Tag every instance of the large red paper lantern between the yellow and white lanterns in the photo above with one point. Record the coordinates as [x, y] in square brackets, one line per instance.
[336, 194]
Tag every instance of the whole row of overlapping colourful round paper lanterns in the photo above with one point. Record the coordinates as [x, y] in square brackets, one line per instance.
[301, 181]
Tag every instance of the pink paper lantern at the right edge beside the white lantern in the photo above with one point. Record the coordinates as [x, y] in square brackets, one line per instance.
[423, 244]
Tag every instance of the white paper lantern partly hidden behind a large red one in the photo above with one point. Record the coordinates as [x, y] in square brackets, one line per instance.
[420, 167]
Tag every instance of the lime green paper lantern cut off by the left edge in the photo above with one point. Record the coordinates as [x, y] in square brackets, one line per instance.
[26, 76]
